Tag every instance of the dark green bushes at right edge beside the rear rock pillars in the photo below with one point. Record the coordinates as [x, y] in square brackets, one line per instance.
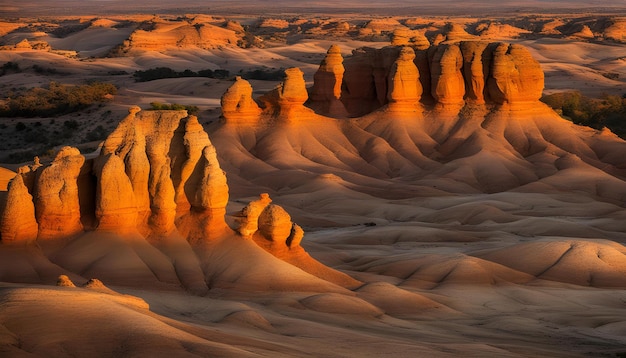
[608, 111]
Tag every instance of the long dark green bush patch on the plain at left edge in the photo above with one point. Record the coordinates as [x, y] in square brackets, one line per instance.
[55, 99]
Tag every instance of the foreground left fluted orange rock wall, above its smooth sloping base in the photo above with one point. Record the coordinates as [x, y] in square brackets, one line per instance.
[155, 167]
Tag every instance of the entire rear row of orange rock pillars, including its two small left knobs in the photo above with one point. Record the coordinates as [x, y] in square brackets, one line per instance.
[400, 78]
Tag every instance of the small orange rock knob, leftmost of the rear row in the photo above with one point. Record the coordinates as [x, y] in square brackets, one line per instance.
[238, 104]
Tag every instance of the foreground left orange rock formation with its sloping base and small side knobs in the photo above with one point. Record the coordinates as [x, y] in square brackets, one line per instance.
[150, 210]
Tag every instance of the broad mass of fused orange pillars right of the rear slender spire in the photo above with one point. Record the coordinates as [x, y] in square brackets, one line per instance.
[450, 75]
